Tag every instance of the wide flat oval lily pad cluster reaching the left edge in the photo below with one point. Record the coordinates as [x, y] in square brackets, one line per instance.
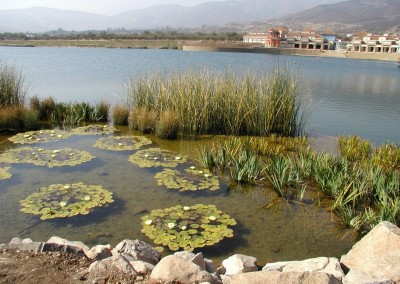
[46, 157]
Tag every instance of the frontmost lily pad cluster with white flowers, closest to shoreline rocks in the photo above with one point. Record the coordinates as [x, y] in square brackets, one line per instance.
[187, 227]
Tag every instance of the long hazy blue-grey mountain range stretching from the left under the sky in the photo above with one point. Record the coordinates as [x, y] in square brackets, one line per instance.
[210, 14]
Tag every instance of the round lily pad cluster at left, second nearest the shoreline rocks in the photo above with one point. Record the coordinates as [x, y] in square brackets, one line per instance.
[65, 200]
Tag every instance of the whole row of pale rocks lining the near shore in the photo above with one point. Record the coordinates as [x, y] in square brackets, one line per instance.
[374, 259]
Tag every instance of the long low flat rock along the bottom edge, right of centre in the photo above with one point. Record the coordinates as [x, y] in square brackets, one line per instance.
[276, 277]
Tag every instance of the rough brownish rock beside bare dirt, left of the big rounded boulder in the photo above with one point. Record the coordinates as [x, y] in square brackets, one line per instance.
[110, 265]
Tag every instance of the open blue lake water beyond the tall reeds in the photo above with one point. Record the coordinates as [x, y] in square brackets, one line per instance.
[357, 97]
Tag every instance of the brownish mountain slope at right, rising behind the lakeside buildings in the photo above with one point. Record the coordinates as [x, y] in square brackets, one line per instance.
[375, 16]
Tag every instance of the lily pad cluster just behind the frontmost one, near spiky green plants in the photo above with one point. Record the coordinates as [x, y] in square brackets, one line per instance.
[191, 179]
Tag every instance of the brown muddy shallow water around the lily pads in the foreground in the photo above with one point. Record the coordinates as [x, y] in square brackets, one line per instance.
[282, 232]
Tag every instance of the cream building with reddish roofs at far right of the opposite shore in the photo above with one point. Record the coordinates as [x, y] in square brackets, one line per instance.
[366, 42]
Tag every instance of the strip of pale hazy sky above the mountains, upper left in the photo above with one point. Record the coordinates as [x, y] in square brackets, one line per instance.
[107, 7]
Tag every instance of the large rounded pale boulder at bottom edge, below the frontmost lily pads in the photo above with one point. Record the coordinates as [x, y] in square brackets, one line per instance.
[174, 268]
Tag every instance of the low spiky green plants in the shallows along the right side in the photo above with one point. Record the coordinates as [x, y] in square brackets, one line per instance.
[363, 183]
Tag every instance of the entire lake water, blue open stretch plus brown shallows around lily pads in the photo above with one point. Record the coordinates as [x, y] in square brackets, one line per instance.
[353, 97]
